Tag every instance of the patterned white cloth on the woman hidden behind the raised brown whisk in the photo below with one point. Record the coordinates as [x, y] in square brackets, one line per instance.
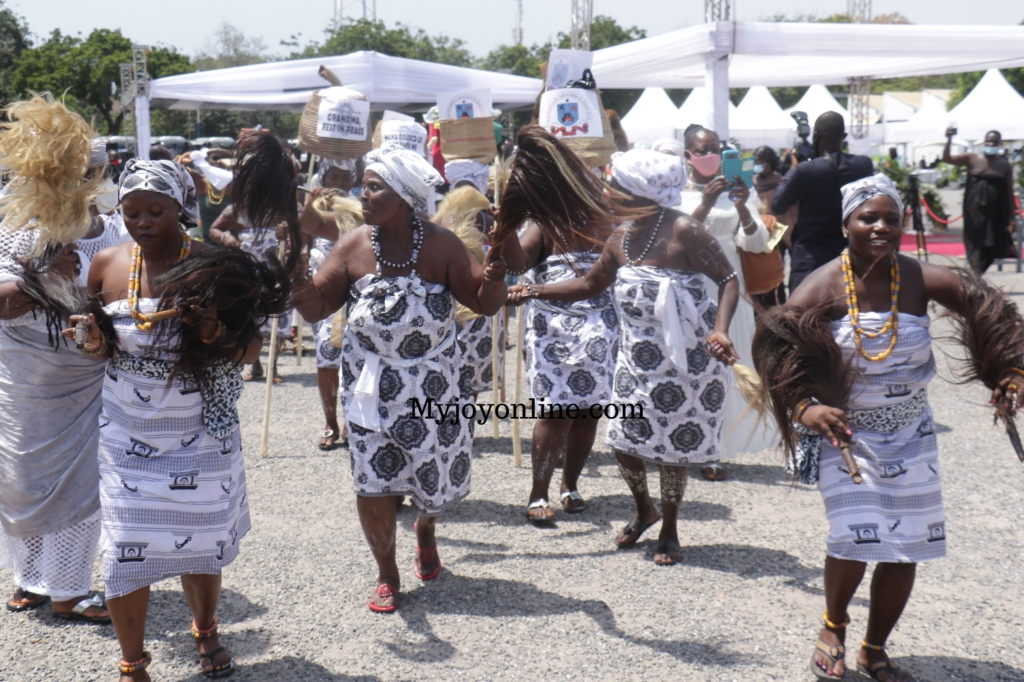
[571, 348]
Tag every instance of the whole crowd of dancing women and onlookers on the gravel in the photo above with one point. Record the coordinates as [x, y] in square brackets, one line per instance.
[134, 324]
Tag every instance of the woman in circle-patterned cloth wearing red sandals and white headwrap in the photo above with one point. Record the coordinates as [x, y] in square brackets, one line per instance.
[401, 278]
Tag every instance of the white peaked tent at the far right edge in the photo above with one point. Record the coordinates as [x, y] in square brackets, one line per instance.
[993, 105]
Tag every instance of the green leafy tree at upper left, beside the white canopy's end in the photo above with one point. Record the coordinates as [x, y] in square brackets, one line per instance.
[89, 72]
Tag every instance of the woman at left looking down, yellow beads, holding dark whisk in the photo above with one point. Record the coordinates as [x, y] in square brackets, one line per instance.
[173, 475]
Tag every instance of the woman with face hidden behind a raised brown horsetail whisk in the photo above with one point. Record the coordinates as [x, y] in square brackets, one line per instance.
[569, 350]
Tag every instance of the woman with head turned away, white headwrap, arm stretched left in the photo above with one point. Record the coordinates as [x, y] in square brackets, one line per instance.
[664, 373]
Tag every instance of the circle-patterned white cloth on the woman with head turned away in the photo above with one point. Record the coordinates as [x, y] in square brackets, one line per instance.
[664, 366]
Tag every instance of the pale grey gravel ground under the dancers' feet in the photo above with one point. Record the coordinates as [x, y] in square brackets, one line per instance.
[520, 603]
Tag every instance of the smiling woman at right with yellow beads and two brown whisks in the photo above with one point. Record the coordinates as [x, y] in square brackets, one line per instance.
[873, 304]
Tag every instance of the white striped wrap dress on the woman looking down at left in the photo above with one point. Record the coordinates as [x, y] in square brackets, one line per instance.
[174, 496]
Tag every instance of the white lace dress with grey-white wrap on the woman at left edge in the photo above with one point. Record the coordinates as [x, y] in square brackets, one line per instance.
[50, 492]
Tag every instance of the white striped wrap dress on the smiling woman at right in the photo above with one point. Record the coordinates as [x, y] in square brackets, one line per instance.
[895, 516]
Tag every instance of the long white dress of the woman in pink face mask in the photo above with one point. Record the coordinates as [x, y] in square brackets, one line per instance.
[746, 435]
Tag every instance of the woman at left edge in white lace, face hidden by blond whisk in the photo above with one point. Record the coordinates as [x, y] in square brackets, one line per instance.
[50, 496]
